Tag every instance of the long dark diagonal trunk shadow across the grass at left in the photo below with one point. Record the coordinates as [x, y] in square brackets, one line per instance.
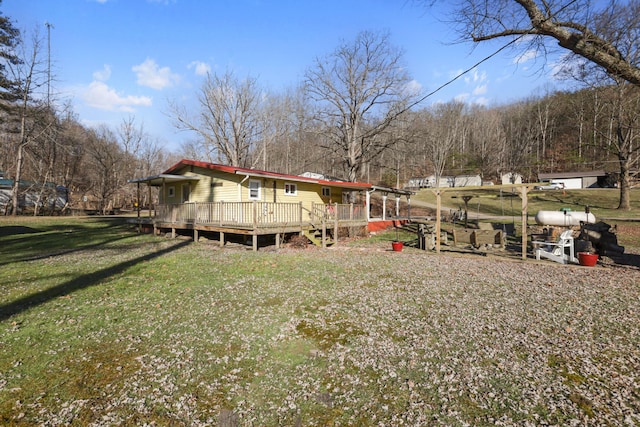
[78, 283]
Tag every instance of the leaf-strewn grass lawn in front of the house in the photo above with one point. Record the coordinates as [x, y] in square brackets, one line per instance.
[100, 325]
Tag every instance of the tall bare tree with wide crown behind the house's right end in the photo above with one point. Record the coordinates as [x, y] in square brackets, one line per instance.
[359, 90]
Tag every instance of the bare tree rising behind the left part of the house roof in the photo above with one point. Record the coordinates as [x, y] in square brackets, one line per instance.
[229, 121]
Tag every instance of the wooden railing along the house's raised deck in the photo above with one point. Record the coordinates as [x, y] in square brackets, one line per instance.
[257, 214]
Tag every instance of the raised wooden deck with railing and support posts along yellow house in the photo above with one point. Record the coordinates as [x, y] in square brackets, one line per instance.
[257, 218]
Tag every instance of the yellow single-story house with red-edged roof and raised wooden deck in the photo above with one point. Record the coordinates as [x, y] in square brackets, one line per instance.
[208, 197]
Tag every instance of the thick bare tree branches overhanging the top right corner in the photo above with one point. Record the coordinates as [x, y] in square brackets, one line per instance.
[576, 26]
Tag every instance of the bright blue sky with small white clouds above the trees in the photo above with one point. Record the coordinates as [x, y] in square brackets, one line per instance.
[114, 59]
